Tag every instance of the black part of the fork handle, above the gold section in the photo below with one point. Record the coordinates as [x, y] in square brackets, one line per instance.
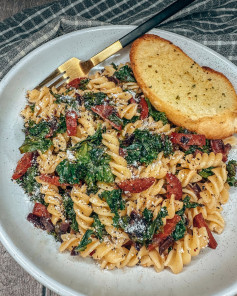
[154, 21]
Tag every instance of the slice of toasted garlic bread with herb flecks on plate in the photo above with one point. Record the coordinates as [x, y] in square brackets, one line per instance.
[197, 98]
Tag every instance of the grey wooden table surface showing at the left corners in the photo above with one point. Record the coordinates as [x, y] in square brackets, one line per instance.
[14, 280]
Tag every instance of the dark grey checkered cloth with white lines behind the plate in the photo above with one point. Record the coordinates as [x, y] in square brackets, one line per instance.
[210, 22]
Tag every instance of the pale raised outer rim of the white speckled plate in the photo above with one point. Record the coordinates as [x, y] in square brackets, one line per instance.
[17, 255]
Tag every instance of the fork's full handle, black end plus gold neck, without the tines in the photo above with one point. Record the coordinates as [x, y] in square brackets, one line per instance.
[134, 34]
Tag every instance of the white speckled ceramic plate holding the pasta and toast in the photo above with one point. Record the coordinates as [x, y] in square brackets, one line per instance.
[211, 273]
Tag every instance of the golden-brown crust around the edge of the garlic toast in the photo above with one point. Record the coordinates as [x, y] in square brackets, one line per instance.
[221, 125]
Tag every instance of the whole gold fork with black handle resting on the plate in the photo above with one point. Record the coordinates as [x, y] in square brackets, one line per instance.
[75, 68]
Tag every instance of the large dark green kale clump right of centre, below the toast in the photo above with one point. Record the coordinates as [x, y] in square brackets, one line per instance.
[146, 147]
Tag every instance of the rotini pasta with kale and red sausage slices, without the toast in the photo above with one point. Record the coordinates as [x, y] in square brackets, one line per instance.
[112, 179]
